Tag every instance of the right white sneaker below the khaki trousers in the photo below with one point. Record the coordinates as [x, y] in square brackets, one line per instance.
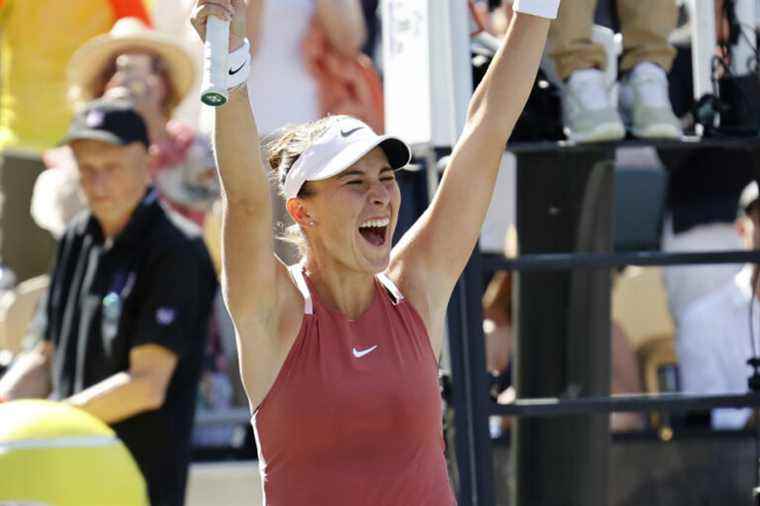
[645, 103]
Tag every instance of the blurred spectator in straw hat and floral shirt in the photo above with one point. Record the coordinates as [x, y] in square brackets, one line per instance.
[155, 73]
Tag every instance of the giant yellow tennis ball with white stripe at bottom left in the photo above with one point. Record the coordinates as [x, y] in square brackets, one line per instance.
[54, 454]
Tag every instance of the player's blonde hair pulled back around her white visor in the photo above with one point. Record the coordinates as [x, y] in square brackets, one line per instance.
[282, 149]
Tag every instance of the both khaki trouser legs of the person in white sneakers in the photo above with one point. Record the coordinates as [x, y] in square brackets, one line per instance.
[645, 24]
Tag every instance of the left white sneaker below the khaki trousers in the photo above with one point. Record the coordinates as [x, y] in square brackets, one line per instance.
[587, 110]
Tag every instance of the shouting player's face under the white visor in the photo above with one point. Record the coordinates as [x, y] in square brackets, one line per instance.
[354, 215]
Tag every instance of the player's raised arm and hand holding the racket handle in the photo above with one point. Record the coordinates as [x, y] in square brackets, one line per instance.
[248, 263]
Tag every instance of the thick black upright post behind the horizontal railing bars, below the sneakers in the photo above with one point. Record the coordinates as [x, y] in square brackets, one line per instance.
[563, 326]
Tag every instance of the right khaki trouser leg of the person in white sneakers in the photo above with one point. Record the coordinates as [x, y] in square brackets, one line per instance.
[646, 26]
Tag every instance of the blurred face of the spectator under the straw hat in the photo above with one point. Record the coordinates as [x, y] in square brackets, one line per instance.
[137, 77]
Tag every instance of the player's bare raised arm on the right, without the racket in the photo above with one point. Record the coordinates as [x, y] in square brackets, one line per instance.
[433, 254]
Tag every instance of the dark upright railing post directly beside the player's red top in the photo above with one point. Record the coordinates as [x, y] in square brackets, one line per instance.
[470, 388]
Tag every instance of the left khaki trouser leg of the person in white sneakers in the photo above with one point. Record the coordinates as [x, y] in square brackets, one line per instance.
[570, 44]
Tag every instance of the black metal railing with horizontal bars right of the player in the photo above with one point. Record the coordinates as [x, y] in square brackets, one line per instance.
[471, 401]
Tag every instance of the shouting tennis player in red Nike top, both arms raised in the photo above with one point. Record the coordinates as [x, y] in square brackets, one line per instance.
[338, 353]
